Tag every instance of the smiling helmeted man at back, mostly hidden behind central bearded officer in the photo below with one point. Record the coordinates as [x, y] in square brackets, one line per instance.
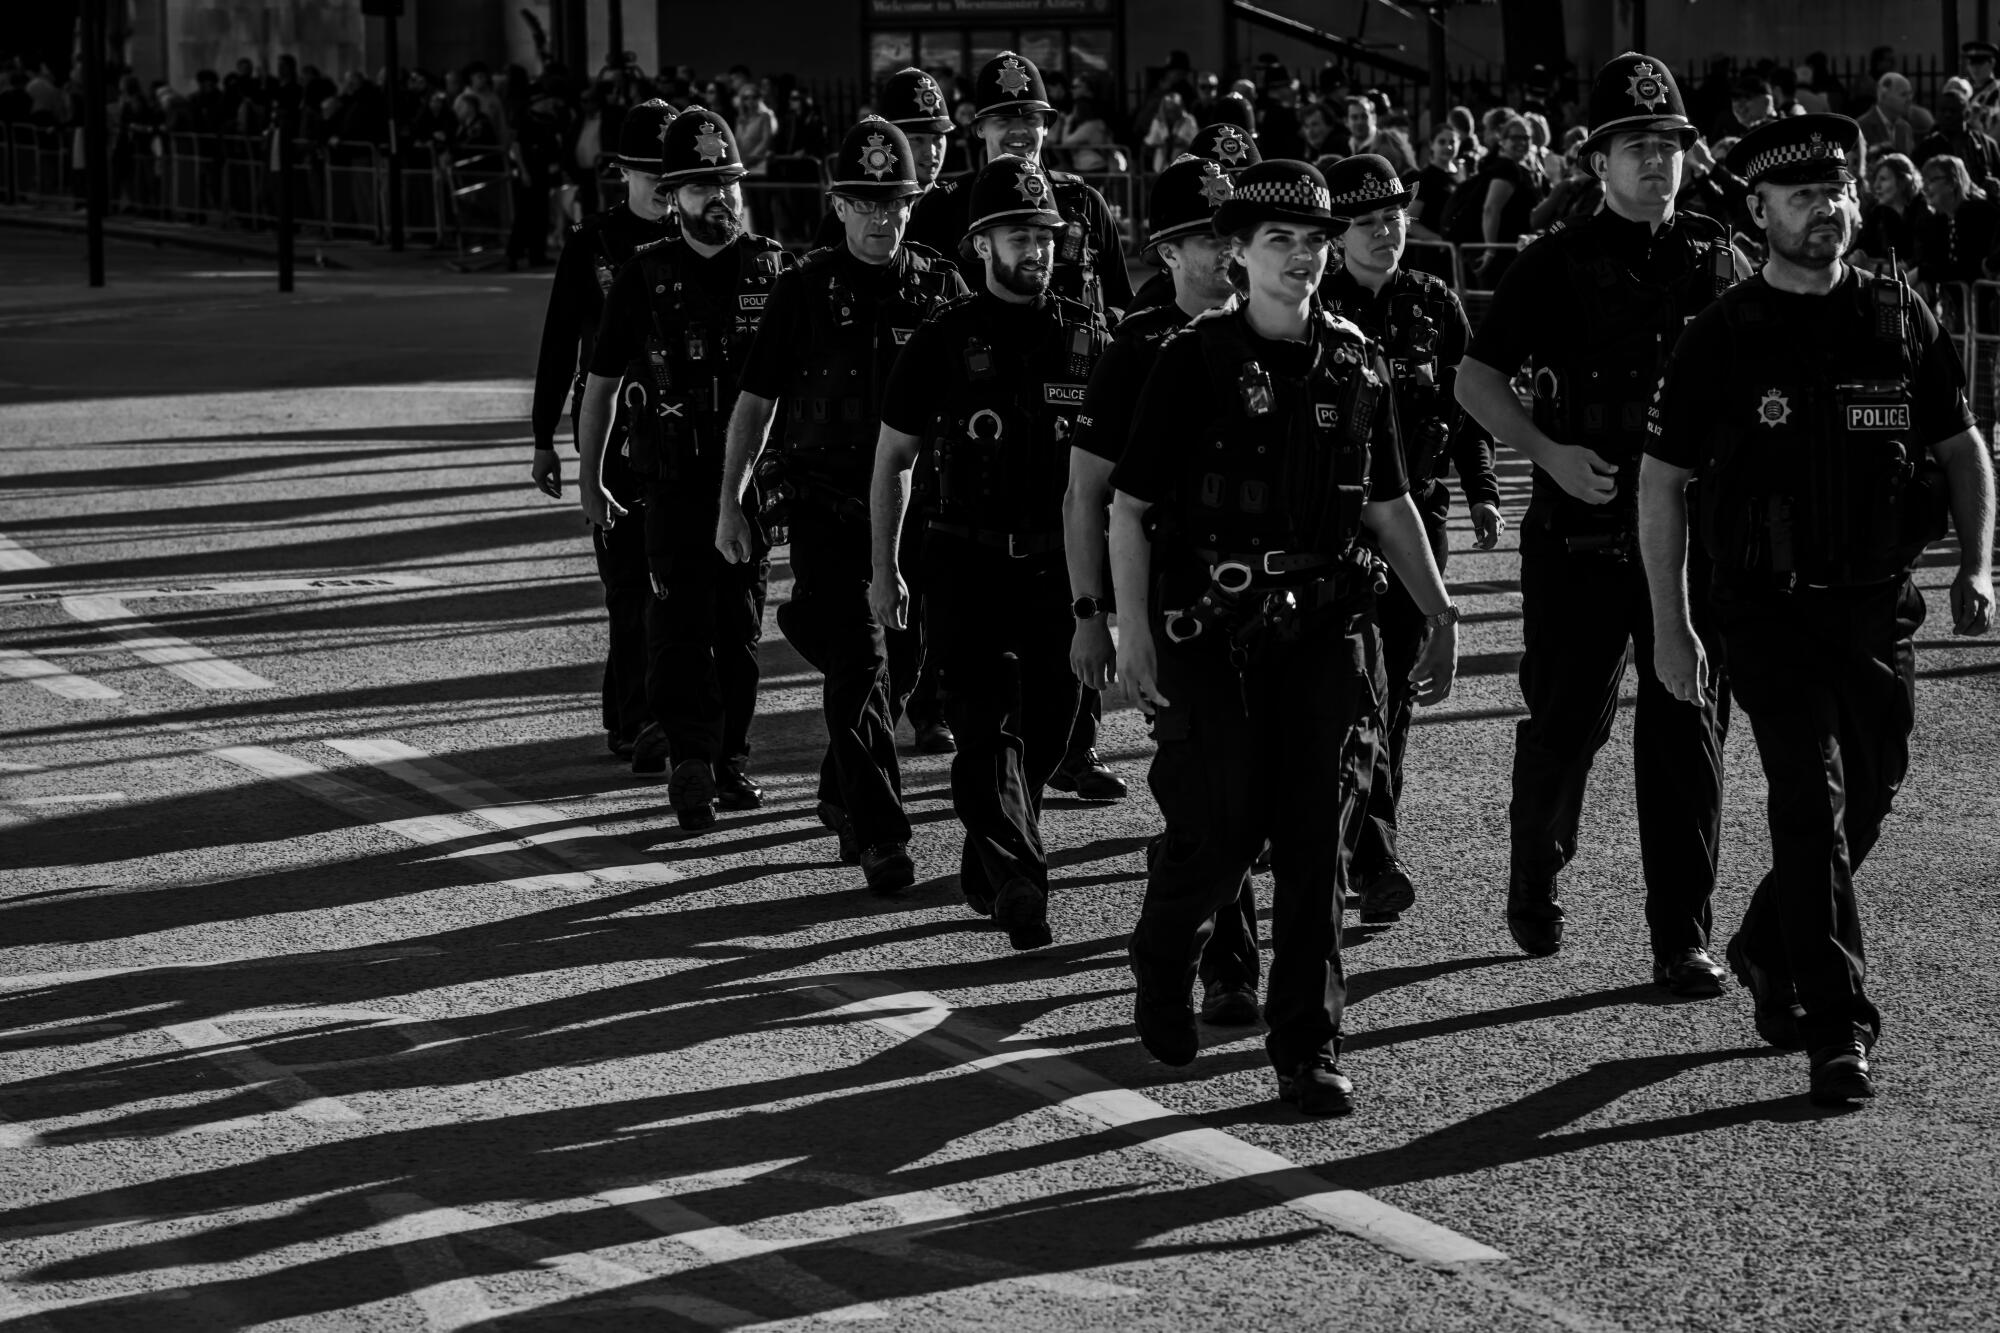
[1013, 117]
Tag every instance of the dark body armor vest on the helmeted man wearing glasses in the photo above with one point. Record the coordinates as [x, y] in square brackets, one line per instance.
[835, 397]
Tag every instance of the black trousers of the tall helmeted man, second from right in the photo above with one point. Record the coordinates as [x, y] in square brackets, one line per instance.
[1583, 615]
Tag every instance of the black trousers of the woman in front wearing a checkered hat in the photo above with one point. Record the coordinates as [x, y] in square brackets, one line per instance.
[1267, 754]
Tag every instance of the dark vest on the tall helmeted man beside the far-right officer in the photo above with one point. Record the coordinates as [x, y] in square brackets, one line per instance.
[1625, 329]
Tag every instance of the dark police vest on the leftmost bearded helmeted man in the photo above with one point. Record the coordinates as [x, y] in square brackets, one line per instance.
[679, 395]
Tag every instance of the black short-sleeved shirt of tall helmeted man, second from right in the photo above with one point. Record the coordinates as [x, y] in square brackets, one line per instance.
[1533, 315]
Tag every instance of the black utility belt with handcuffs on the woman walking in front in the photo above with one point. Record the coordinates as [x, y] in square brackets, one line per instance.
[1275, 591]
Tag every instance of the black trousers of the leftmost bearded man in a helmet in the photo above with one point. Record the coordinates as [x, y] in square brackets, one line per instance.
[701, 633]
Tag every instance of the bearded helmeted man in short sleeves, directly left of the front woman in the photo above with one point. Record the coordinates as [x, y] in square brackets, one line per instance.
[991, 389]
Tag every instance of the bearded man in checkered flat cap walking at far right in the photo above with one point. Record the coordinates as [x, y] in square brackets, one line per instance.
[1825, 415]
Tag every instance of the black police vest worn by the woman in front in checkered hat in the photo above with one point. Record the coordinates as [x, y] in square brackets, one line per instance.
[1283, 461]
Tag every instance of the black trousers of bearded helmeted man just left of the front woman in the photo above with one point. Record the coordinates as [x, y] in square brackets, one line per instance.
[999, 637]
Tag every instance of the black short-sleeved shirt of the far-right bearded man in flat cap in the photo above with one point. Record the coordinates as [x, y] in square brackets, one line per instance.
[1693, 401]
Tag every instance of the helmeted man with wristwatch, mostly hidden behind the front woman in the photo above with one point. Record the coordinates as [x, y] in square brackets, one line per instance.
[1181, 239]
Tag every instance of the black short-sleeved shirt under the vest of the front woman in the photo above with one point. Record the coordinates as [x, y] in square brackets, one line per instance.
[1179, 401]
